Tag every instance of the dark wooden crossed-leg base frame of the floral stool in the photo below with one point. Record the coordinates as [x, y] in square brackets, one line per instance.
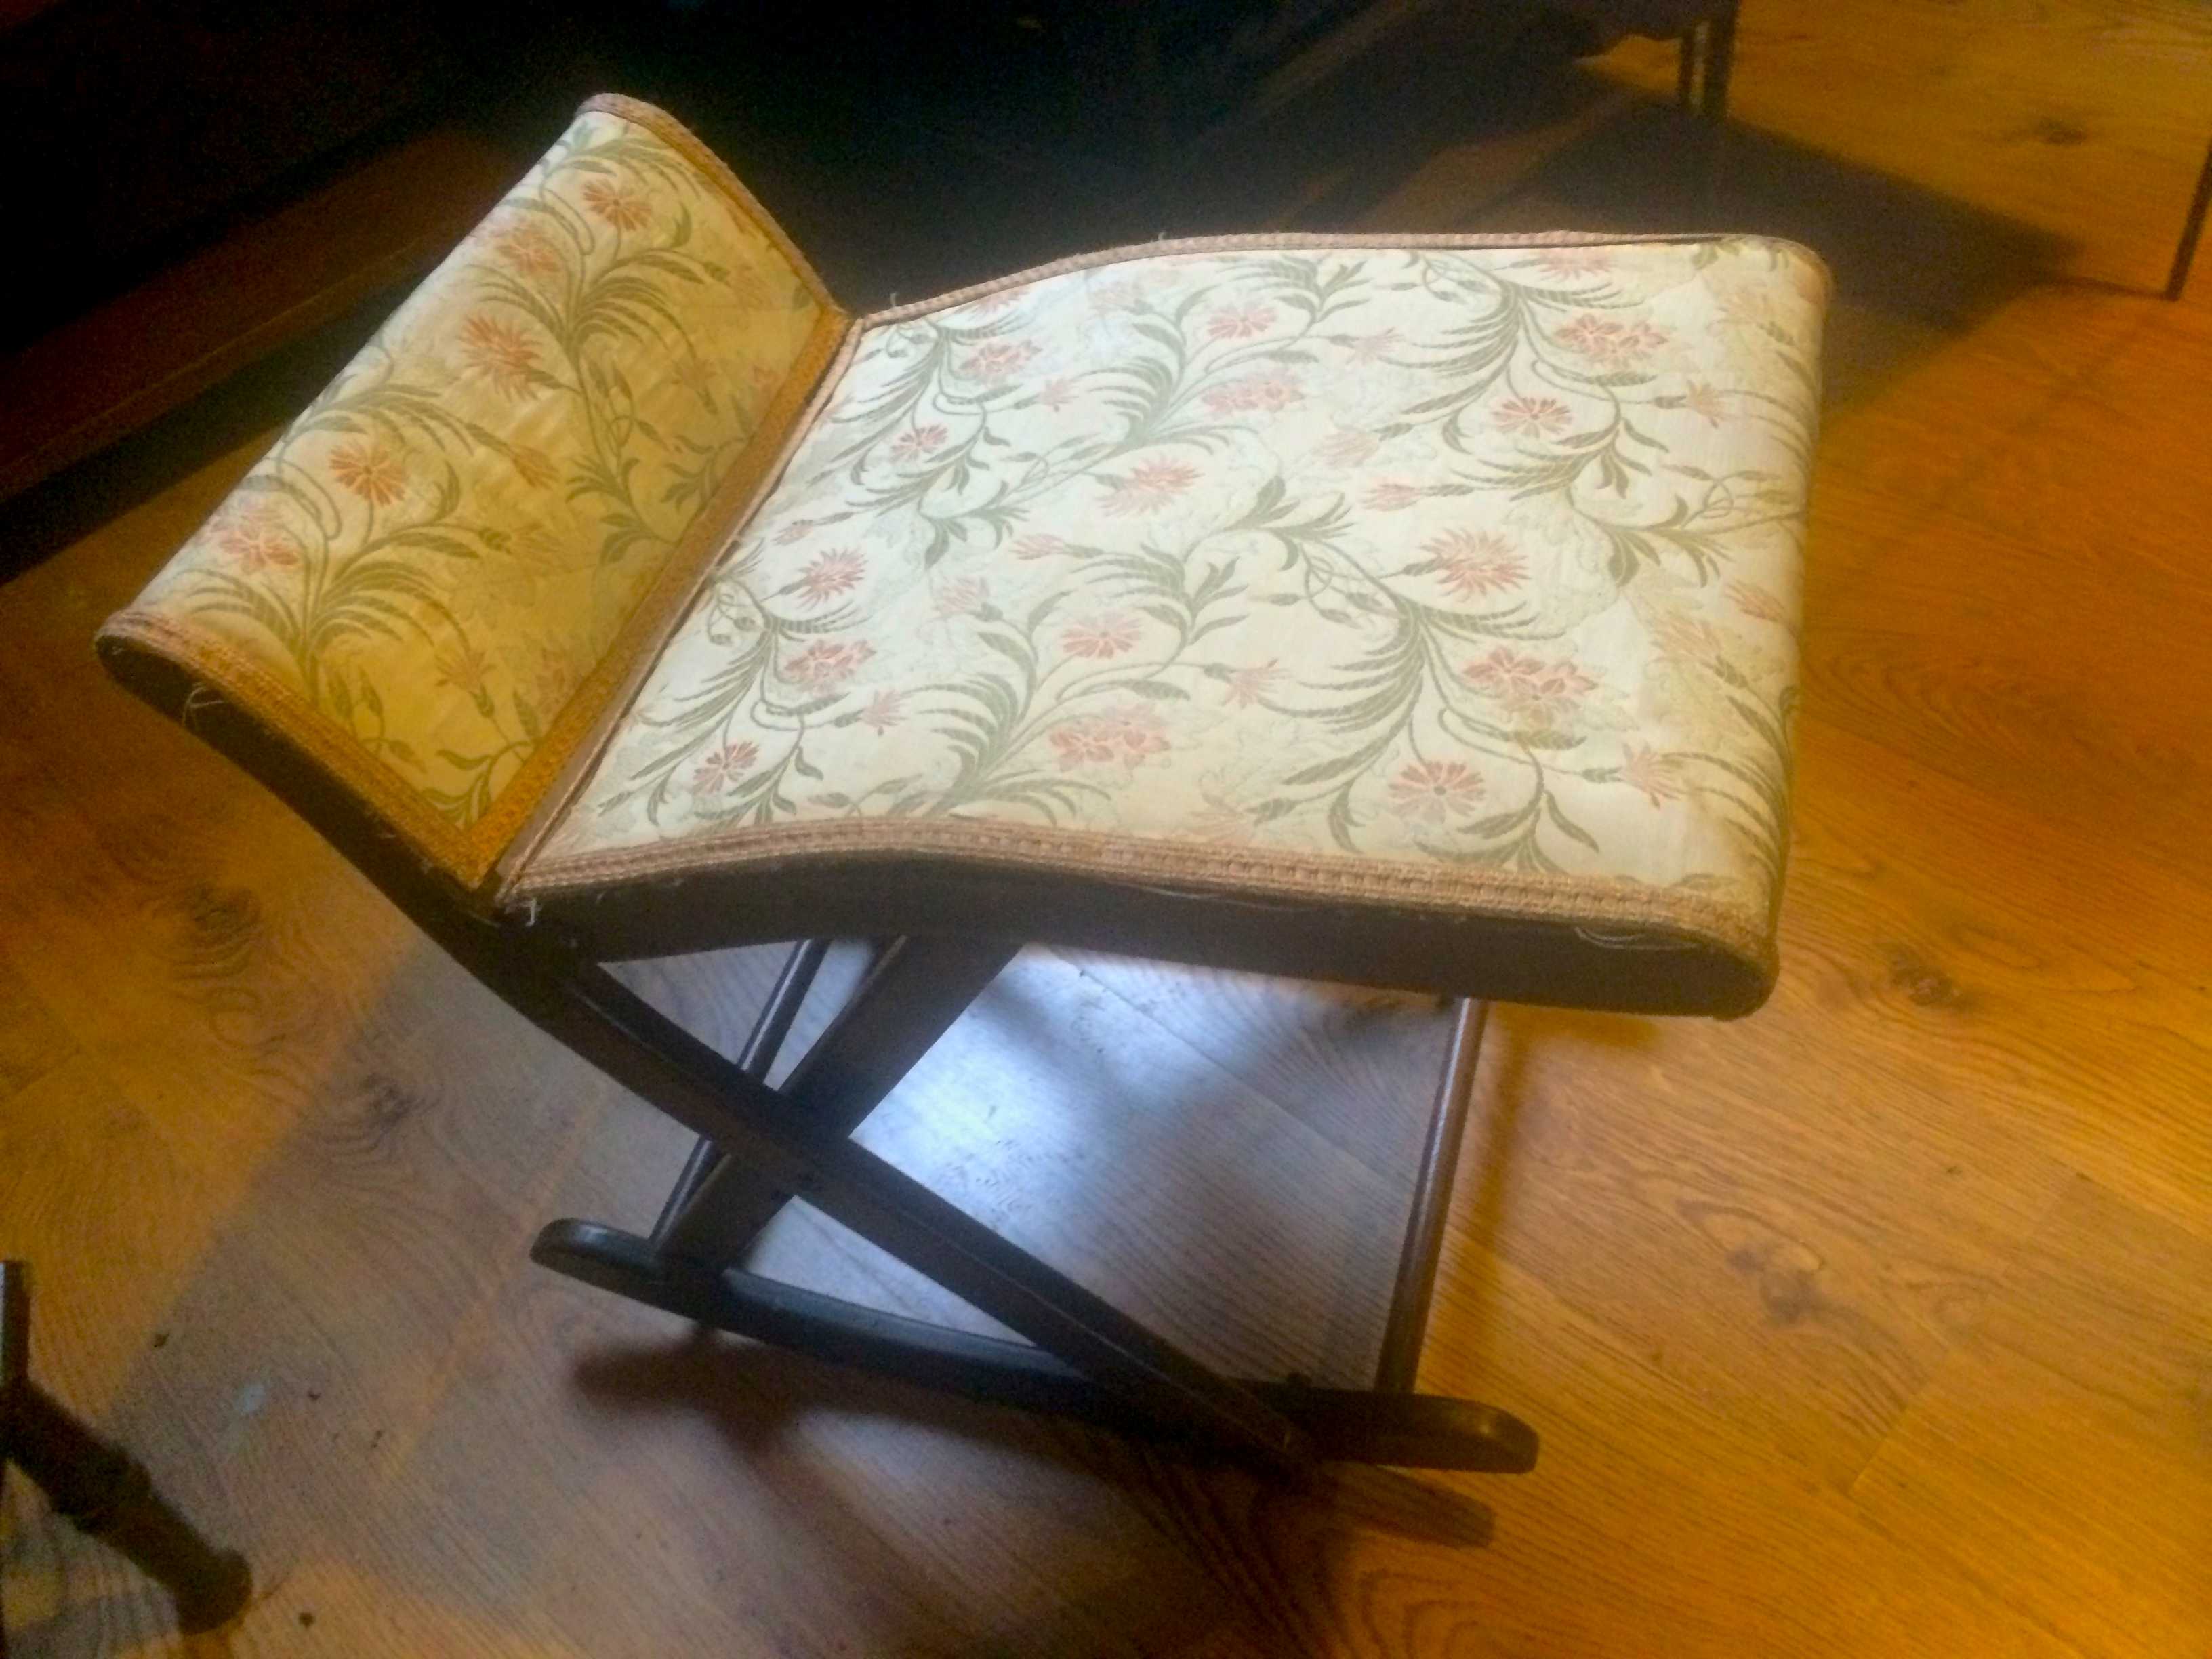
[762, 1147]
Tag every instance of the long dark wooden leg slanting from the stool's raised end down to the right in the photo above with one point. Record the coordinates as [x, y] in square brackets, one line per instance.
[554, 983]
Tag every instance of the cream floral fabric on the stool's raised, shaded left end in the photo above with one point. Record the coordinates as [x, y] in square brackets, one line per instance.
[441, 552]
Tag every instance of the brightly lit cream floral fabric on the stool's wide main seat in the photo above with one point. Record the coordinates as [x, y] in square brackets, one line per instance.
[1472, 563]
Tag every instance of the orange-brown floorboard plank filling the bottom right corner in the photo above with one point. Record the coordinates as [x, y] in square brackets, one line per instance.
[2065, 1457]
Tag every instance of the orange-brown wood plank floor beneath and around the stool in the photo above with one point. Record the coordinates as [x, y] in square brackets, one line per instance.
[1879, 1324]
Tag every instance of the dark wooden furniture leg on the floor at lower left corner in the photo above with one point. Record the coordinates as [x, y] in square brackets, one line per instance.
[101, 1490]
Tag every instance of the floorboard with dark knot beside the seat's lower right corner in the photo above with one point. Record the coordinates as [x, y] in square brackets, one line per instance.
[2018, 981]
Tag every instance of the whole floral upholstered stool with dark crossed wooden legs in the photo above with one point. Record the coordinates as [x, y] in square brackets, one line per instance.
[1412, 612]
